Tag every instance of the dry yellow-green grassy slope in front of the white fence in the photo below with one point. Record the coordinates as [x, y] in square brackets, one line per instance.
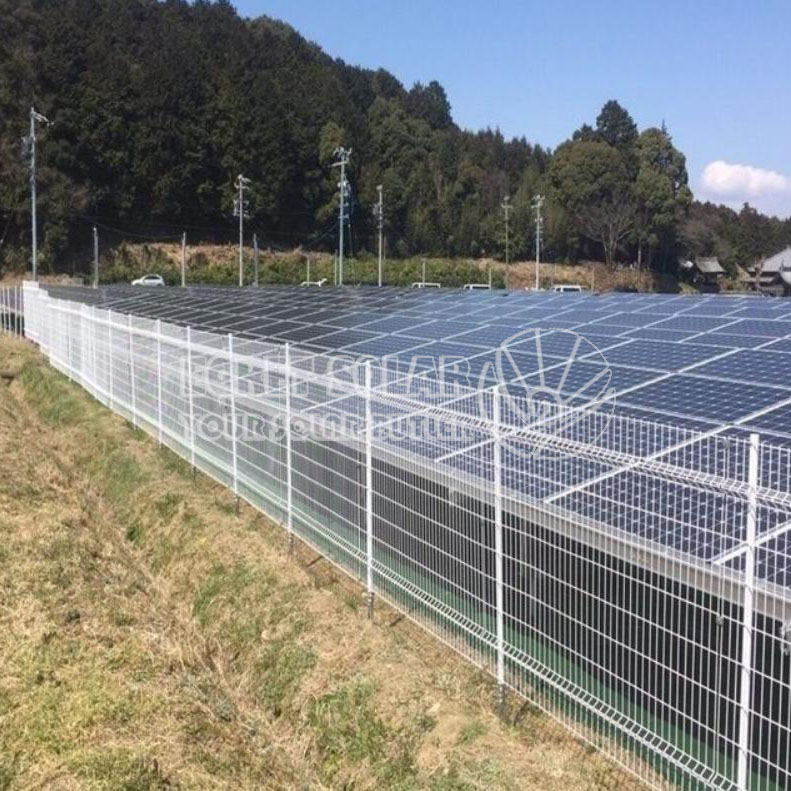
[149, 638]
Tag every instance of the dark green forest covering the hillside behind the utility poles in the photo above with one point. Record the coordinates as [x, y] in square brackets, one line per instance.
[157, 106]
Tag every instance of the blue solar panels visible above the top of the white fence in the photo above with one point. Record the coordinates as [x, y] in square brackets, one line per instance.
[712, 359]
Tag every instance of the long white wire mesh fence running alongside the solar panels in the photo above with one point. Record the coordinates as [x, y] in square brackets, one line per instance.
[631, 578]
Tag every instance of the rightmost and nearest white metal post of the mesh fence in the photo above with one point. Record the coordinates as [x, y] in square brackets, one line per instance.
[745, 684]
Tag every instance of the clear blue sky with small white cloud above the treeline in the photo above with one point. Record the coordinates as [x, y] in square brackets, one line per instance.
[718, 73]
